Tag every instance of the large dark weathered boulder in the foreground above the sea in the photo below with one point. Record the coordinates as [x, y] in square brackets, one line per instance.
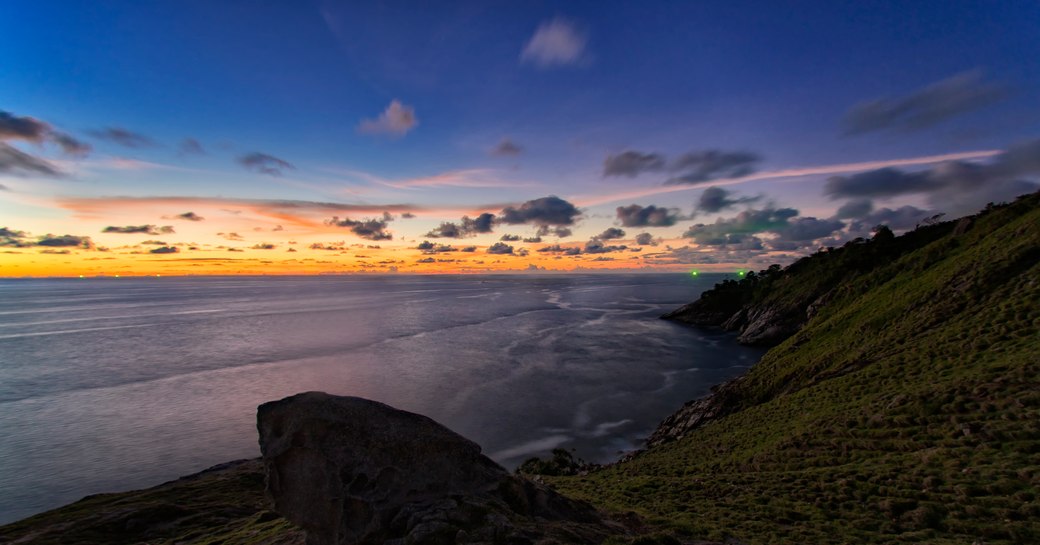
[352, 471]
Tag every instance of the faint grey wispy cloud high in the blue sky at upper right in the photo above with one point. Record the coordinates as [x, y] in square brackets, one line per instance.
[925, 108]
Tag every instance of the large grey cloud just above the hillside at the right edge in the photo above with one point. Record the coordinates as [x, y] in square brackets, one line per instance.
[955, 188]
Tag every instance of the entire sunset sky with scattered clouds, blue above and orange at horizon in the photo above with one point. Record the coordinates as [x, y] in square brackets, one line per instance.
[320, 137]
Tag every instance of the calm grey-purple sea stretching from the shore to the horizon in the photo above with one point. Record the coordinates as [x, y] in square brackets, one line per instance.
[116, 384]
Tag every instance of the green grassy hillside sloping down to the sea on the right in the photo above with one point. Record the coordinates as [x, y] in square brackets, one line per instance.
[906, 410]
